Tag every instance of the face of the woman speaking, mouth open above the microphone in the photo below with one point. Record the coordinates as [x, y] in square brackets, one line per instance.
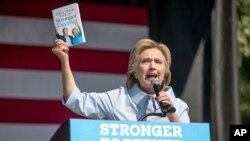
[151, 65]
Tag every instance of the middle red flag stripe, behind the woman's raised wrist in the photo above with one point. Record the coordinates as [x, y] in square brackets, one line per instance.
[41, 58]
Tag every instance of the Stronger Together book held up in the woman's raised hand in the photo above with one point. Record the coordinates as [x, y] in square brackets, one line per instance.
[68, 24]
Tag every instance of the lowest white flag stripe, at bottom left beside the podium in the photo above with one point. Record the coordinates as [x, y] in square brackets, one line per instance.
[27, 132]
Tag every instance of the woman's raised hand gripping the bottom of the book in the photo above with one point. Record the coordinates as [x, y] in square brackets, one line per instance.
[61, 49]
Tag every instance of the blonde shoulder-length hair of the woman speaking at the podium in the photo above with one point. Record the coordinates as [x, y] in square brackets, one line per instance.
[134, 60]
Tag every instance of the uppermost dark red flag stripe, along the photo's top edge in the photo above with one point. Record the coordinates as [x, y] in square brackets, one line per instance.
[92, 12]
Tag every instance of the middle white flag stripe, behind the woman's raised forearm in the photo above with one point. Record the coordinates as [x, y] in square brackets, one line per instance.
[48, 84]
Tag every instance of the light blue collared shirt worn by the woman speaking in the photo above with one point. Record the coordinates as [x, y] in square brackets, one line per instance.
[122, 104]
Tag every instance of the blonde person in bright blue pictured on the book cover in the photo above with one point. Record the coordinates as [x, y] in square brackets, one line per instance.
[77, 33]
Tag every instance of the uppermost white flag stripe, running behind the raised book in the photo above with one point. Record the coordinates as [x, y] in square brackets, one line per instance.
[41, 32]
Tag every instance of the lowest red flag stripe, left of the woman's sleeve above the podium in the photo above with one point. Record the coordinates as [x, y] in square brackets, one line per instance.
[34, 111]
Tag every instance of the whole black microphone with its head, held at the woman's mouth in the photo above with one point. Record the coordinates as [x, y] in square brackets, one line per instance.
[165, 108]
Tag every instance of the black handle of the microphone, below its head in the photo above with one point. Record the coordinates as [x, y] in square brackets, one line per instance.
[165, 108]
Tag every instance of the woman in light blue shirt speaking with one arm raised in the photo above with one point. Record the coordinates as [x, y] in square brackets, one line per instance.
[148, 60]
